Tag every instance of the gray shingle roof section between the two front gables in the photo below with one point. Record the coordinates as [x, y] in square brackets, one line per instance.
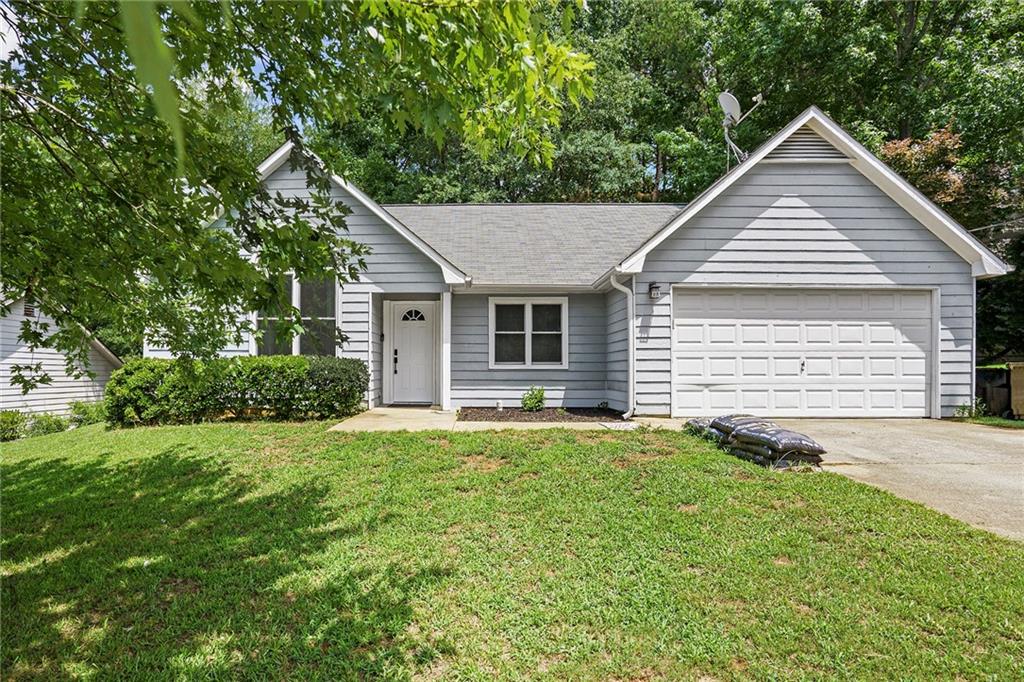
[535, 244]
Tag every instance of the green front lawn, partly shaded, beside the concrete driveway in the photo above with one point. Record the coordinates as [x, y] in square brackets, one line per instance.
[284, 551]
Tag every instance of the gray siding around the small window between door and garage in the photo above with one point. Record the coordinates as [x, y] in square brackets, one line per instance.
[582, 386]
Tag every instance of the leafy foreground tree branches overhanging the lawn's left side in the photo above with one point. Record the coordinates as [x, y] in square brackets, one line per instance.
[113, 172]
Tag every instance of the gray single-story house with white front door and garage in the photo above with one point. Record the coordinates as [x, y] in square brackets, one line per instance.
[810, 280]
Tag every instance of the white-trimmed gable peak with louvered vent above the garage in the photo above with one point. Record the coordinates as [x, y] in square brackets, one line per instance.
[801, 141]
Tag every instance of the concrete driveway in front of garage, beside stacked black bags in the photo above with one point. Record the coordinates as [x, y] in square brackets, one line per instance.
[972, 473]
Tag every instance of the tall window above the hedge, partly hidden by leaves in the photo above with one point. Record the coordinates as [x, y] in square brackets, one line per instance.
[317, 304]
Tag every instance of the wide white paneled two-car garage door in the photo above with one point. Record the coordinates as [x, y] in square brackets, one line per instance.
[802, 353]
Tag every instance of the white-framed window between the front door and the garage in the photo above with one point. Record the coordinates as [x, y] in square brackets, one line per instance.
[529, 333]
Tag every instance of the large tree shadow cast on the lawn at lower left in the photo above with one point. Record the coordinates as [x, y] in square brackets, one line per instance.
[177, 567]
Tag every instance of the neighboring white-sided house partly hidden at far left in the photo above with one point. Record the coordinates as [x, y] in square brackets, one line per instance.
[64, 390]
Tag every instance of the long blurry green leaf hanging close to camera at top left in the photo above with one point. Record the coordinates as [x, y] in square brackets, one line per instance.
[154, 65]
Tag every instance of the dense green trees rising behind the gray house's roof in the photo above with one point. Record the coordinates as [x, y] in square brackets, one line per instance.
[937, 81]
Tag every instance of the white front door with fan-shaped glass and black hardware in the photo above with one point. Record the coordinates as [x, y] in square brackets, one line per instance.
[413, 352]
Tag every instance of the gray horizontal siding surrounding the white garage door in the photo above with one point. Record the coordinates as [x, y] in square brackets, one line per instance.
[818, 225]
